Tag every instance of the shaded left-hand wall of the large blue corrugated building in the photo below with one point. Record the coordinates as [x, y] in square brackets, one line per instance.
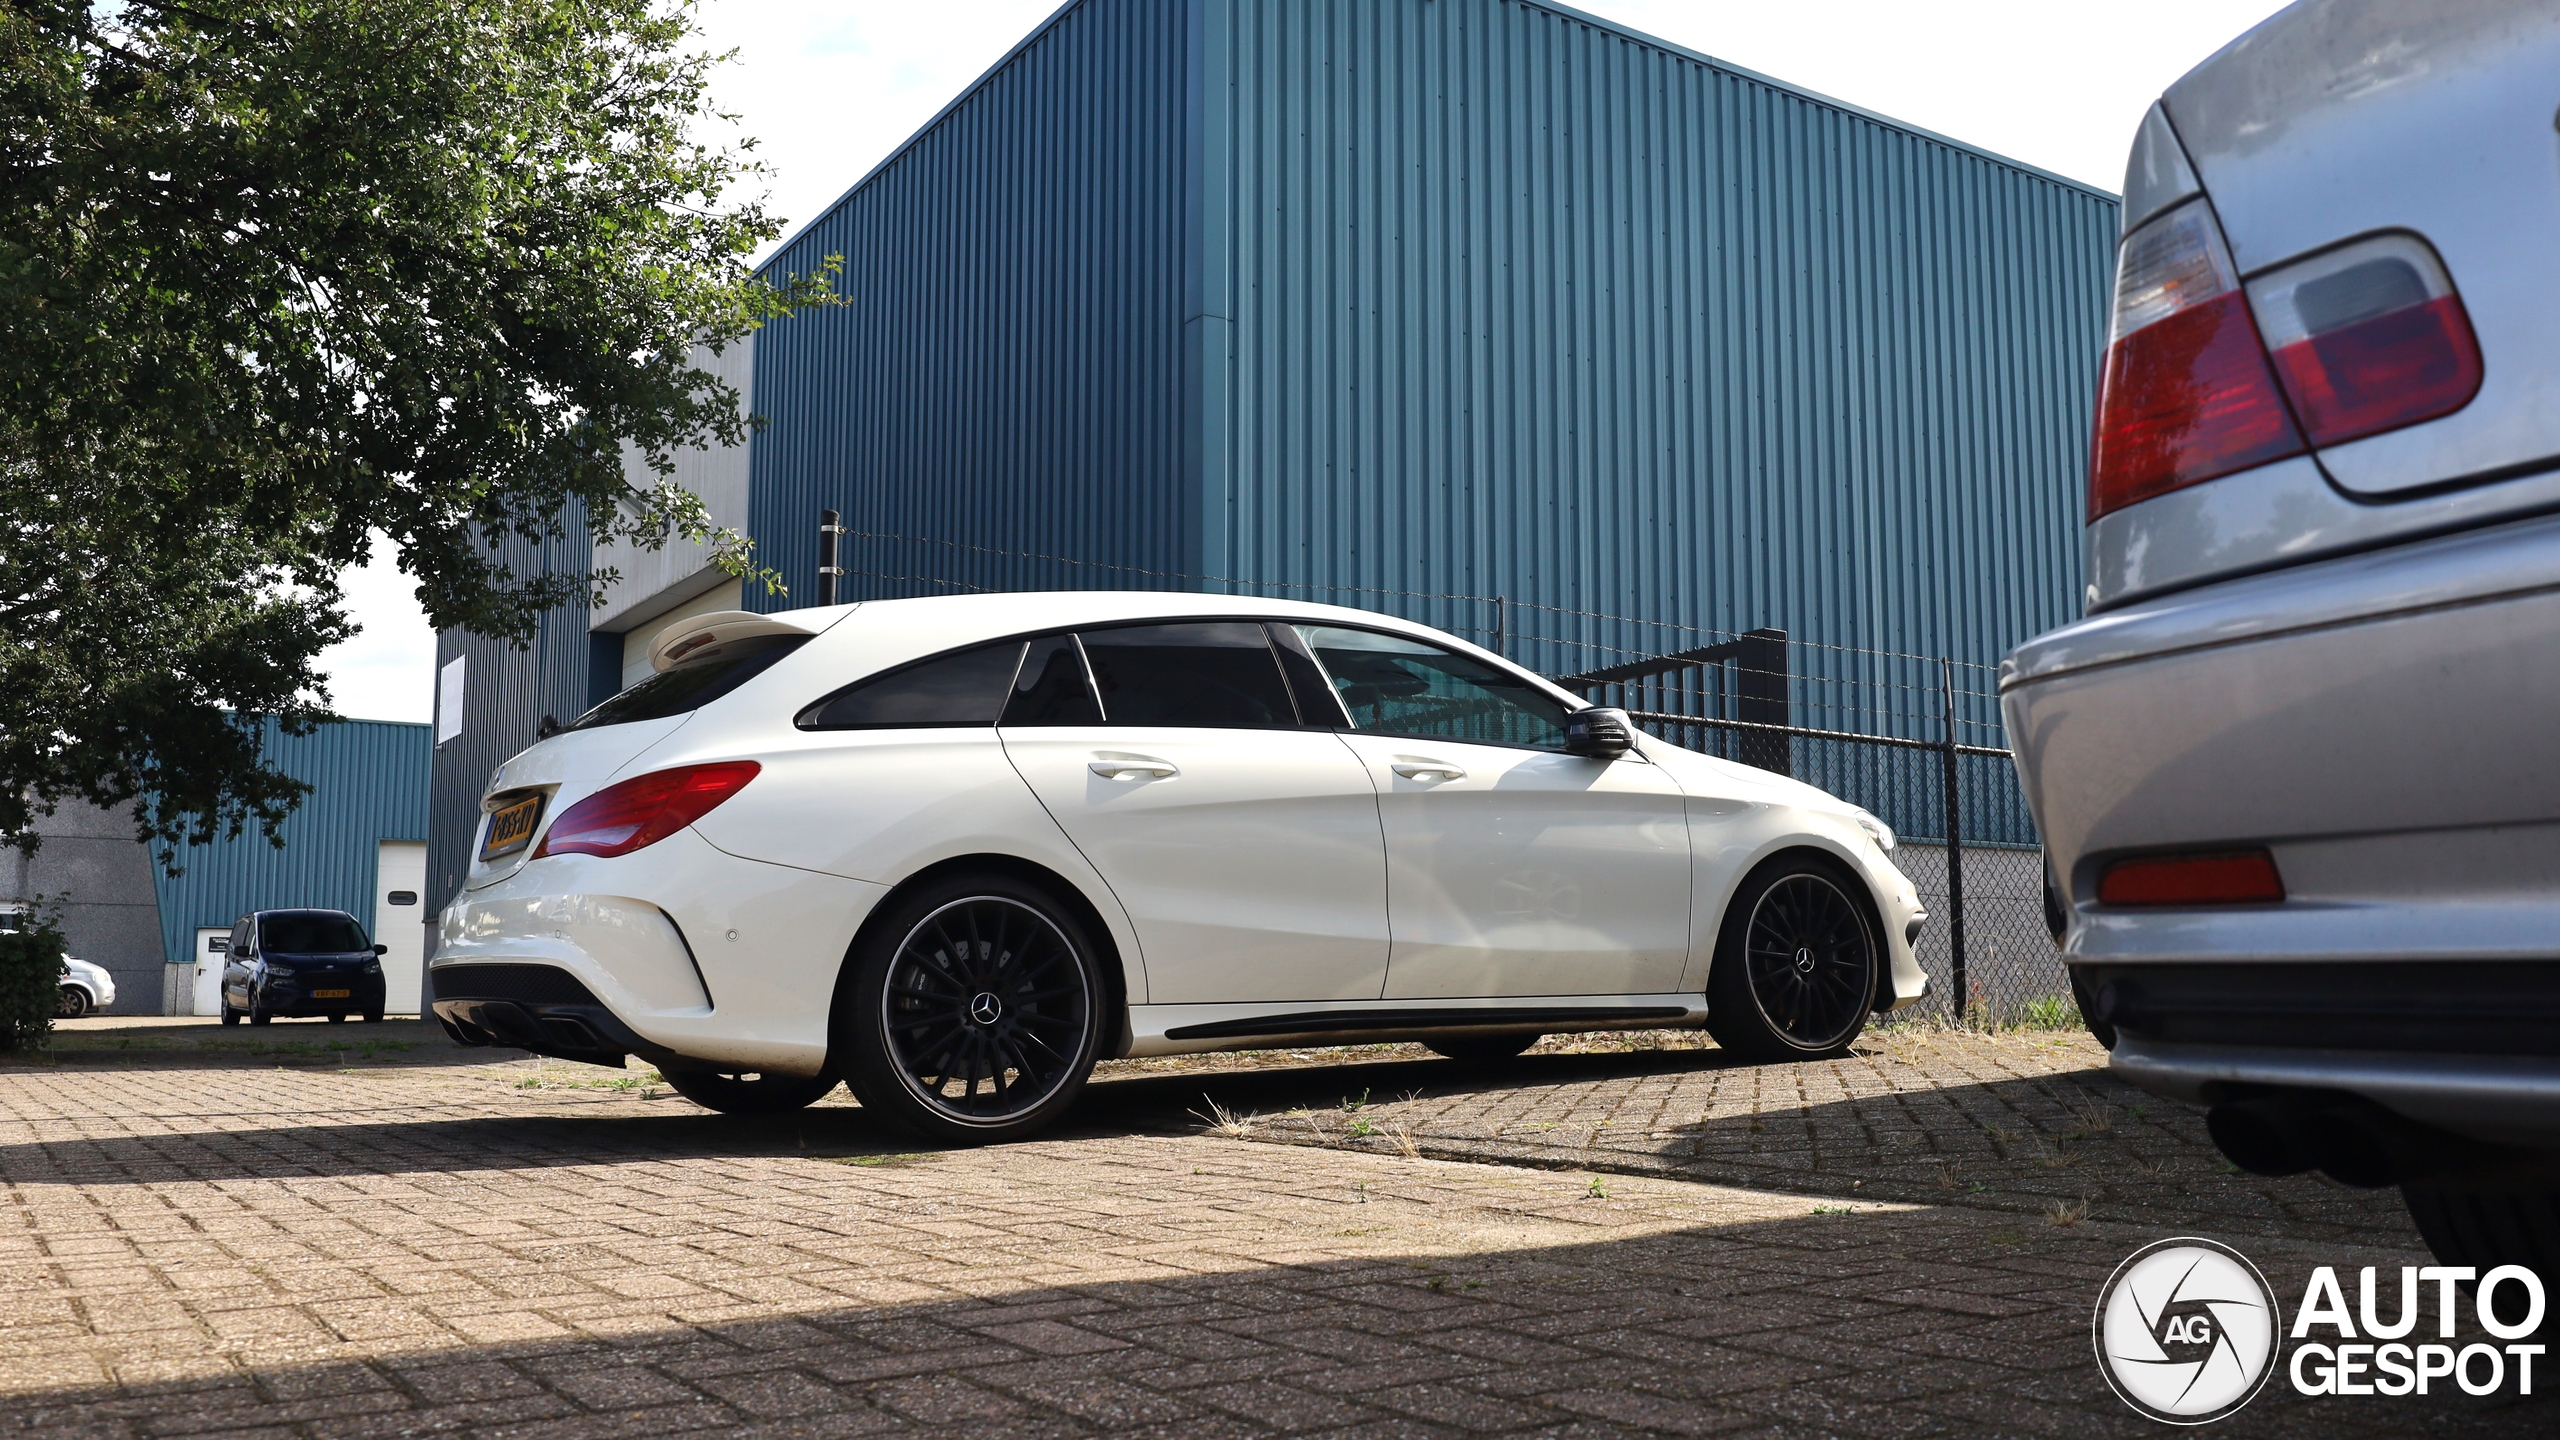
[1005, 368]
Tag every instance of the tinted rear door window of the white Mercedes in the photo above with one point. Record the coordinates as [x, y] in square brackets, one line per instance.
[1199, 673]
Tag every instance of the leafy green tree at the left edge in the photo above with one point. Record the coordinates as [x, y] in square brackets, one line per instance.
[288, 275]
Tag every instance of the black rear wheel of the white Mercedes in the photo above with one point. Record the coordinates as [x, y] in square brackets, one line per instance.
[974, 1011]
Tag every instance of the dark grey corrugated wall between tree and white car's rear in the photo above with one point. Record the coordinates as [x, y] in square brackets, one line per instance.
[506, 696]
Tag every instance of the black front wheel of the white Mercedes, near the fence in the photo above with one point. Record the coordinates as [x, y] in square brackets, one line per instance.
[1796, 965]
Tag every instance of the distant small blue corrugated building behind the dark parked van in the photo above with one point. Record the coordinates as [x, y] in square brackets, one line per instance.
[370, 783]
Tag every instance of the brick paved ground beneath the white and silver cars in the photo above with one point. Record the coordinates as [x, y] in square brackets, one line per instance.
[273, 1236]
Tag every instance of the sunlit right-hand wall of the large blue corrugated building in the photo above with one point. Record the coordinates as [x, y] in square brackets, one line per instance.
[1530, 306]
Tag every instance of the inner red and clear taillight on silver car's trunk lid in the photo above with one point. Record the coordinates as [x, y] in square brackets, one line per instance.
[2369, 340]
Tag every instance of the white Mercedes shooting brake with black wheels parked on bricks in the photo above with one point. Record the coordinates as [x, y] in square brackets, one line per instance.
[951, 852]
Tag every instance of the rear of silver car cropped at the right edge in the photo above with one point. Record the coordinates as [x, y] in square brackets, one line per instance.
[2298, 770]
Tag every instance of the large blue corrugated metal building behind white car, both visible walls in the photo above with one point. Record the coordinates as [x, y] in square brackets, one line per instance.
[1468, 299]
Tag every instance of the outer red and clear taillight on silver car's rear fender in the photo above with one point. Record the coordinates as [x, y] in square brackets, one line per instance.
[2188, 391]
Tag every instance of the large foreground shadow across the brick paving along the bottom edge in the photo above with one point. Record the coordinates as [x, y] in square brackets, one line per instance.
[1885, 1323]
